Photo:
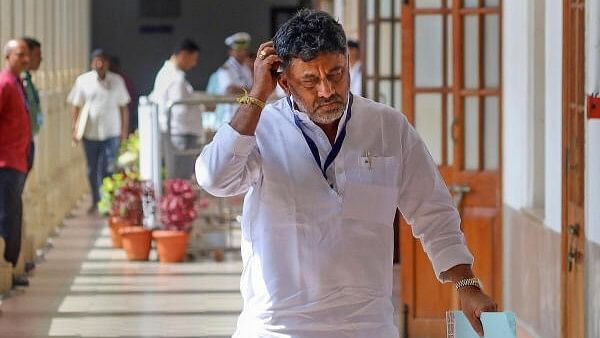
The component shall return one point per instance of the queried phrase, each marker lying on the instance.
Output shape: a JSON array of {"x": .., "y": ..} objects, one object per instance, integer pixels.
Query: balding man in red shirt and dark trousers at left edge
[{"x": 15, "y": 142}]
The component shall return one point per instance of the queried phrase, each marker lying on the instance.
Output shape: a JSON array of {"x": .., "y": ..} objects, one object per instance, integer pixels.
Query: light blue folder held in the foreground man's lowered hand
[{"x": 495, "y": 325}]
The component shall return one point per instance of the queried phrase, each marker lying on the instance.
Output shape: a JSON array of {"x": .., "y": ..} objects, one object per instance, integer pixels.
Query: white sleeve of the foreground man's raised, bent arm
[{"x": 230, "y": 164}]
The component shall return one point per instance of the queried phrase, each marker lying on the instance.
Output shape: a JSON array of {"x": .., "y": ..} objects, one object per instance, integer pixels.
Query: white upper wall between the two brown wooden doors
[{"x": 519, "y": 91}]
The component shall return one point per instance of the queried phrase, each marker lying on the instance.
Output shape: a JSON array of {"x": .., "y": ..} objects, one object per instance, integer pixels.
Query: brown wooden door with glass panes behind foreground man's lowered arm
[{"x": 451, "y": 93}]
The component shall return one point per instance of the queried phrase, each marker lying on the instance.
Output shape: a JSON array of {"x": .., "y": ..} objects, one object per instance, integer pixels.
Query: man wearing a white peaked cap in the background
[{"x": 233, "y": 76}]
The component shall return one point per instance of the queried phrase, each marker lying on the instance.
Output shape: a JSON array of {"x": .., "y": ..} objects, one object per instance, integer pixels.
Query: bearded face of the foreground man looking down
[{"x": 320, "y": 86}]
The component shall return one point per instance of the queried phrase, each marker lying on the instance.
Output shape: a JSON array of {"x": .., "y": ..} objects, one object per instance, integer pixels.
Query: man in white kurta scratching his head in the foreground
[{"x": 324, "y": 171}]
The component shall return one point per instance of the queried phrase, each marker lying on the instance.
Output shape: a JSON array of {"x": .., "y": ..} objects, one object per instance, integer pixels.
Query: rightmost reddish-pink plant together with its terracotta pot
[{"x": 177, "y": 208}]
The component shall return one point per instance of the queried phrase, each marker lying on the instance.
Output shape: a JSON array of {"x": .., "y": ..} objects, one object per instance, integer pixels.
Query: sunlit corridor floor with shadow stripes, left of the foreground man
[{"x": 85, "y": 288}]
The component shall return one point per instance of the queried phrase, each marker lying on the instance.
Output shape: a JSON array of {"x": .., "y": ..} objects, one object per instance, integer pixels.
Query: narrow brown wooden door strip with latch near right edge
[{"x": 573, "y": 237}]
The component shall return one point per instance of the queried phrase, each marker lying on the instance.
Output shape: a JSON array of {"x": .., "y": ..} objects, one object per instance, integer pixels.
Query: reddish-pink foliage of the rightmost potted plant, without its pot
[{"x": 178, "y": 205}]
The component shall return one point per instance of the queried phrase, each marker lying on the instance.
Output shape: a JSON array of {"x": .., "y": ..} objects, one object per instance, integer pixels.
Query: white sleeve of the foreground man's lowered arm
[{"x": 428, "y": 207}]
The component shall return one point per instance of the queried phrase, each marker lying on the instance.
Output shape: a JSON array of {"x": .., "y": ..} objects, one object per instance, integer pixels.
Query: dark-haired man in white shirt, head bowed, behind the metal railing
[{"x": 185, "y": 125}]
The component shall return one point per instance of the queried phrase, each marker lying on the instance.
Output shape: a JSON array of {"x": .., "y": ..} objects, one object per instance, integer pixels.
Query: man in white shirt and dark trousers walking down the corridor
[{"x": 107, "y": 122}]
